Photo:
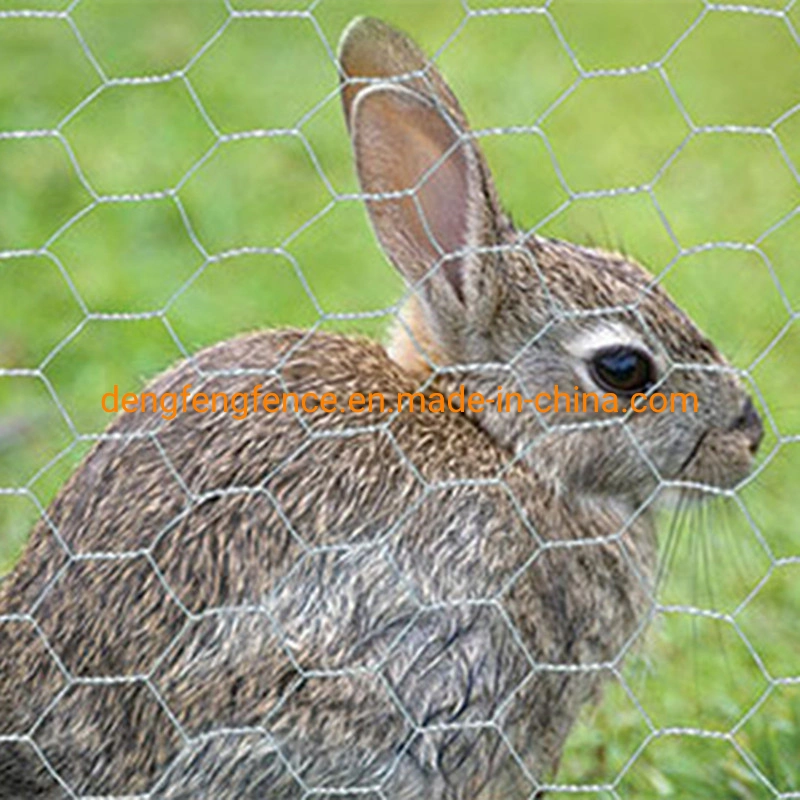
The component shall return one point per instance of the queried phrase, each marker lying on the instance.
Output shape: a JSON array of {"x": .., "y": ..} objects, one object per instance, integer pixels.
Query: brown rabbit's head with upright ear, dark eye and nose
[{"x": 490, "y": 305}]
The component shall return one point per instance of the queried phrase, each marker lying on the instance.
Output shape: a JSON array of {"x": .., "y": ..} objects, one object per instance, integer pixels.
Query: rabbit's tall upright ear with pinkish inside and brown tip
[{"x": 432, "y": 201}]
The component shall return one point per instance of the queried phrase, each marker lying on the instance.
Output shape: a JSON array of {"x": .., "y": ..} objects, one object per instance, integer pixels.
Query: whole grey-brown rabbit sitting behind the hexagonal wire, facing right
[{"x": 376, "y": 604}]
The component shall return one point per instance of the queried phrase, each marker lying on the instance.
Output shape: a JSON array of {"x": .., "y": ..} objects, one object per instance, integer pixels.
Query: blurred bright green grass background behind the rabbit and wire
[{"x": 610, "y": 132}]
